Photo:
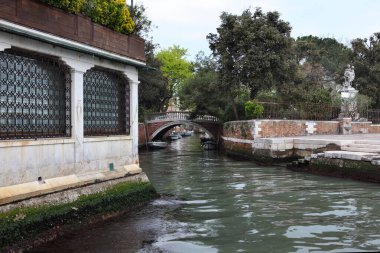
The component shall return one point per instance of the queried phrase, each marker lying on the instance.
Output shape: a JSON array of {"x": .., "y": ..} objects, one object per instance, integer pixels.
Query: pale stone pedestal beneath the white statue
[{"x": 349, "y": 108}]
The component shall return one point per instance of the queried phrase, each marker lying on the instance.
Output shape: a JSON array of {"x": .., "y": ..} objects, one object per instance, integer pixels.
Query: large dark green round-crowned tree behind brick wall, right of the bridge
[{"x": 253, "y": 50}]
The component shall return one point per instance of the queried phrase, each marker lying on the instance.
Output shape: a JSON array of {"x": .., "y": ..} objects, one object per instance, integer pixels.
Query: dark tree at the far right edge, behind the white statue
[{"x": 366, "y": 60}]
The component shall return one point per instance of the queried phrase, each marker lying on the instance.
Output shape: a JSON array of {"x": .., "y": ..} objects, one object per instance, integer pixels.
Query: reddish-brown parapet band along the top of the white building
[{"x": 33, "y": 14}]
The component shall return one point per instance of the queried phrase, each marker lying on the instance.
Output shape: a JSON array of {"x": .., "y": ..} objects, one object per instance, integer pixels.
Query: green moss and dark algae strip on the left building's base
[{"x": 25, "y": 223}]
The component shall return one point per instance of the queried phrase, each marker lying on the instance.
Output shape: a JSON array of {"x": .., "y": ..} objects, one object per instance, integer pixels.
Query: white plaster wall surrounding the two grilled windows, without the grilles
[{"x": 25, "y": 161}]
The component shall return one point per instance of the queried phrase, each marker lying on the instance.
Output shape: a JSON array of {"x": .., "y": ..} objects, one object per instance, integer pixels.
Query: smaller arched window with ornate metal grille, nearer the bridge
[{"x": 106, "y": 103}]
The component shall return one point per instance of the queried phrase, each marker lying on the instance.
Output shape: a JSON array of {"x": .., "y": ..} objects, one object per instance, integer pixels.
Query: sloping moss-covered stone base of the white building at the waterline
[{"x": 32, "y": 222}]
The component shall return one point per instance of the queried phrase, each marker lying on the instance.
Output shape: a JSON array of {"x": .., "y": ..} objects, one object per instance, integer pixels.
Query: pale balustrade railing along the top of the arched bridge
[{"x": 179, "y": 115}]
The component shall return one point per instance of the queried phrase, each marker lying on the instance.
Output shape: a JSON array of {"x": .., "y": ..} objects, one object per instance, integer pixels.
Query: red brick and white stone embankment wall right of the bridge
[{"x": 259, "y": 139}]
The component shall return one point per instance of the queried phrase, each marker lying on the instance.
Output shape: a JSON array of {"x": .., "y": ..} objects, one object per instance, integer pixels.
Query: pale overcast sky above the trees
[{"x": 187, "y": 22}]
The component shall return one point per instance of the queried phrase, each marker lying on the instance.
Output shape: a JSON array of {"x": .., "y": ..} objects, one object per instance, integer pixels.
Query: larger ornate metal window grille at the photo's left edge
[{"x": 34, "y": 96}]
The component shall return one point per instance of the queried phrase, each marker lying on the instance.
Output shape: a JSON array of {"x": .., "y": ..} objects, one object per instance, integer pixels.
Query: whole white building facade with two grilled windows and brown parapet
[{"x": 68, "y": 108}]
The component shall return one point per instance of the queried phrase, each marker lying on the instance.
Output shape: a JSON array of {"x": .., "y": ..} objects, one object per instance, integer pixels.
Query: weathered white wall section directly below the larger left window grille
[{"x": 26, "y": 160}]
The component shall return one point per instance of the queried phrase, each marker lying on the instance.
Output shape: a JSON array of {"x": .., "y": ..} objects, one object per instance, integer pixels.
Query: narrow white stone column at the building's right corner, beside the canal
[{"x": 134, "y": 118}]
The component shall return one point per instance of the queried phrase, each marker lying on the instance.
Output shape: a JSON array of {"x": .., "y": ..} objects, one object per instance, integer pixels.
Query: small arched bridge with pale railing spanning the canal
[{"x": 157, "y": 124}]
